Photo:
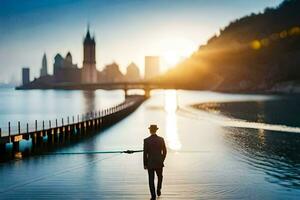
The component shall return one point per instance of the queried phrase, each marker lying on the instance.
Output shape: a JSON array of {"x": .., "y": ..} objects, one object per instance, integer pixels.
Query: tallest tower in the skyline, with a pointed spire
[{"x": 89, "y": 71}]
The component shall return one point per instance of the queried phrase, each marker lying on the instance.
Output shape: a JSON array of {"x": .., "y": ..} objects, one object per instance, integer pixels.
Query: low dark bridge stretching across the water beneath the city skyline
[{"x": 147, "y": 86}]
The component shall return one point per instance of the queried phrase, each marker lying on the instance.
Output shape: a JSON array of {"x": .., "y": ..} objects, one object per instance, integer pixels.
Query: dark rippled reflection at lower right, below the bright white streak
[{"x": 274, "y": 153}]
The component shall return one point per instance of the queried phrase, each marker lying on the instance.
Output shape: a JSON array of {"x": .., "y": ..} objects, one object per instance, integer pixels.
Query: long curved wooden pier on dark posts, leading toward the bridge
[{"x": 71, "y": 129}]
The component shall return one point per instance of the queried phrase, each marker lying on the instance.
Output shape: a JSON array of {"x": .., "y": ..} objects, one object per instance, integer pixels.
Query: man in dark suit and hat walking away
[{"x": 154, "y": 155}]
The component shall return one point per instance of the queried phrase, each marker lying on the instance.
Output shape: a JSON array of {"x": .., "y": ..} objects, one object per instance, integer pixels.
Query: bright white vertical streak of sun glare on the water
[{"x": 170, "y": 106}]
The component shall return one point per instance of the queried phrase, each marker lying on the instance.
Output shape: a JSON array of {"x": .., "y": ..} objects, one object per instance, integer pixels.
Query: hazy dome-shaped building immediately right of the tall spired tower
[{"x": 112, "y": 73}]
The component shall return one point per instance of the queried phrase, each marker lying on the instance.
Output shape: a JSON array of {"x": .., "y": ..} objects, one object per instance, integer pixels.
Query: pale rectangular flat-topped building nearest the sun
[{"x": 151, "y": 66}]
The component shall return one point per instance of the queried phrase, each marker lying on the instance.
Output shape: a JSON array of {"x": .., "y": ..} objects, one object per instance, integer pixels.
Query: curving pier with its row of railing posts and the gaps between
[{"x": 66, "y": 128}]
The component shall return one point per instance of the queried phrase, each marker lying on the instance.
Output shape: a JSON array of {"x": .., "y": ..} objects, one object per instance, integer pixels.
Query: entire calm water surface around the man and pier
[{"x": 224, "y": 154}]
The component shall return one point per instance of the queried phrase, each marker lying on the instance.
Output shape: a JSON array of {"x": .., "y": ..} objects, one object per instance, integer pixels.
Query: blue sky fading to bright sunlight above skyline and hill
[{"x": 125, "y": 31}]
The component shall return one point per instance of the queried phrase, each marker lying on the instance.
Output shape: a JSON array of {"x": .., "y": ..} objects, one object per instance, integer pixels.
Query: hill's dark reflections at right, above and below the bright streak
[{"x": 275, "y": 153}]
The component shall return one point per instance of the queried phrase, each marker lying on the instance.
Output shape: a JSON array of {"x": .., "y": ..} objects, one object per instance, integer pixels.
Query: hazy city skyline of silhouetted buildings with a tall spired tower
[{"x": 67, "y": 72}]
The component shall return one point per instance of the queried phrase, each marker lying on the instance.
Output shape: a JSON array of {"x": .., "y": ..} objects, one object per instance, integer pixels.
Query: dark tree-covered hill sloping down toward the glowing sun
[{"x": 253, "y": 53}]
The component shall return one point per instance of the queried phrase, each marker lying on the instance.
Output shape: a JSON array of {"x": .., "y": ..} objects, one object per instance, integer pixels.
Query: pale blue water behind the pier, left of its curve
[{"x": 31, "y": 105}]
